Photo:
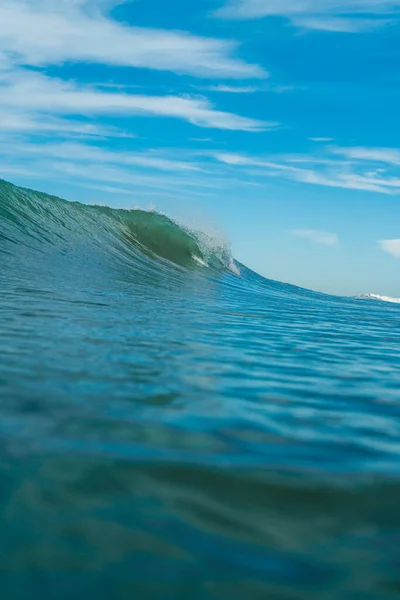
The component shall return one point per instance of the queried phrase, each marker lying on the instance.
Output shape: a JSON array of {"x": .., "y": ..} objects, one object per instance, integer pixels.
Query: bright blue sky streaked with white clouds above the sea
[{"x": 273, "y": 120}]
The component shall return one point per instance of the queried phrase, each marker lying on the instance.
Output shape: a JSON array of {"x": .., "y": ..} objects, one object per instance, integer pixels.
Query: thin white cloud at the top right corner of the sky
[{"x": 332, "y": 15}]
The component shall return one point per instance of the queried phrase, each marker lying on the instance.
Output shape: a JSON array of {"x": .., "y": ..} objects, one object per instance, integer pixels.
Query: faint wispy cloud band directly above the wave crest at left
[{"x": 169, "y": 173}]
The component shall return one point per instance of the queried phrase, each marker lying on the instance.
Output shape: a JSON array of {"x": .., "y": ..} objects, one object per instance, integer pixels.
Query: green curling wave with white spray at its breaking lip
[{"x": 42, "y": 219}]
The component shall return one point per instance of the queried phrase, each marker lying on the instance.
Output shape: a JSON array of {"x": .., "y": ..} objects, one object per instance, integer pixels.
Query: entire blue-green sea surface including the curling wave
[{"x": 173, "y": 425}]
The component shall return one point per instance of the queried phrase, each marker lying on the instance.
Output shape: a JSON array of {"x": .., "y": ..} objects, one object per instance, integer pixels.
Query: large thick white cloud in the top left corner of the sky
[{"x": 46, "y": 32}]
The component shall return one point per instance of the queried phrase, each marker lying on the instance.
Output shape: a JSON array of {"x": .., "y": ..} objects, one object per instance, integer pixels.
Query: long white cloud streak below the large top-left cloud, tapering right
[{"x": 31, "y": 93}]
